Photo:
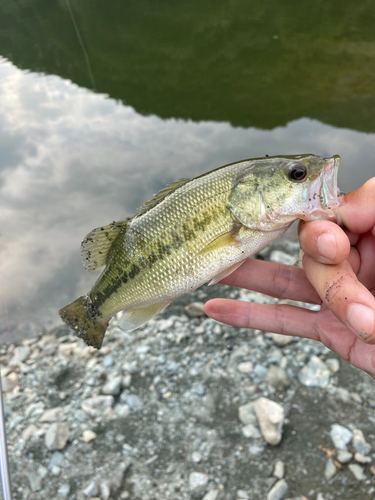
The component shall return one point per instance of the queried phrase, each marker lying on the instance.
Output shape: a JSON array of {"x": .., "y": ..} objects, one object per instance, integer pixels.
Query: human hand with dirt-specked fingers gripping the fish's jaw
[{"x": 338, "y": 273}]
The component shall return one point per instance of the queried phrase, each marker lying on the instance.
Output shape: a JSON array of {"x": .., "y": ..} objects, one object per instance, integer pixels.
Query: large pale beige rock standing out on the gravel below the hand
[{"x": 270, "y": 418}]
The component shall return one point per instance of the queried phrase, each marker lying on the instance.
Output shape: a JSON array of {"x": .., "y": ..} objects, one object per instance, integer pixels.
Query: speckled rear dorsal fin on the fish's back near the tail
[{"x": 96, "y": 245}]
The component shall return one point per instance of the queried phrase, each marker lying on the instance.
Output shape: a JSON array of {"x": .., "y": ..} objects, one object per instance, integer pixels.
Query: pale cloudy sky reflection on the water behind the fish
[{"x": 72, "y": 160}]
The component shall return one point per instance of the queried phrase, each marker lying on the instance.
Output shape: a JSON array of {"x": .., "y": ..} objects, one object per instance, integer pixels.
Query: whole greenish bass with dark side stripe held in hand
[{"x": 196, "y": 231}]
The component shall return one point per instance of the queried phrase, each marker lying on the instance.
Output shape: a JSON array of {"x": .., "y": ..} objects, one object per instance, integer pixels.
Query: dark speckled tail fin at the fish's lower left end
[{"x": 87, "y": 326}]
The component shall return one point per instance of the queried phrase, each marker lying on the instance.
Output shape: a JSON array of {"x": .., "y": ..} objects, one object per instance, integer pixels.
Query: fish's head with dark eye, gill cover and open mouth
[{"x": 278, "y": 190}]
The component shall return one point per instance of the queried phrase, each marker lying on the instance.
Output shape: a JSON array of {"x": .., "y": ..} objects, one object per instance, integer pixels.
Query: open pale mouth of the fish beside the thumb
[{"x": 323, "y": 193}]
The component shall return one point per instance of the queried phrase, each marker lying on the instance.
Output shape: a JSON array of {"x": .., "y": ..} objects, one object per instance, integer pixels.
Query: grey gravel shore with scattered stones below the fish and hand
[{"x": 187, "y": 409}]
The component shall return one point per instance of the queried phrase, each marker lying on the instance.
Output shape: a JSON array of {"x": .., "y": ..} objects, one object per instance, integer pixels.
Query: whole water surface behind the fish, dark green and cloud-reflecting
[{"x": 102, "y": 105}]
